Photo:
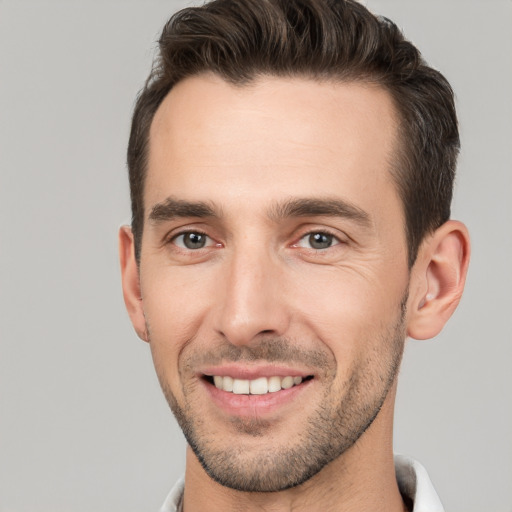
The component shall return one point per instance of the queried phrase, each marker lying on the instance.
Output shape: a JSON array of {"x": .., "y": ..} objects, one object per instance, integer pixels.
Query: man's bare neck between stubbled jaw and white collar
[{"x": 362, "y": 478}]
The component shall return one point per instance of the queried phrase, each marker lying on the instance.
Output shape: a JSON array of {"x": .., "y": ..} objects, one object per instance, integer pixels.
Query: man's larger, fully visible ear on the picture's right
[{"x": 438, "y": 279}]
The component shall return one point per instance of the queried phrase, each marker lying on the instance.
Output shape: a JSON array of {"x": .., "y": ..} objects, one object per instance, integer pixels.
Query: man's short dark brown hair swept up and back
[{"x": 240, "y": 40}]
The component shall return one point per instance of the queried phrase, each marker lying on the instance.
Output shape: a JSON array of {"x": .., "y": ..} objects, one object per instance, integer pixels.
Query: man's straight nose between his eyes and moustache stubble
[{"x": 253, "y": 299}]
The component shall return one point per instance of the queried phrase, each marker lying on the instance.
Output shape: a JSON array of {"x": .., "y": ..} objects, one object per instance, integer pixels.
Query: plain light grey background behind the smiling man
[{"x": 83, "y": 425}]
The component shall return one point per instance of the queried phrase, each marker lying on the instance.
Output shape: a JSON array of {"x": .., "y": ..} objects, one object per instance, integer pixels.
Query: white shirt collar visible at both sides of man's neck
[{"x": 413, "y": 482}]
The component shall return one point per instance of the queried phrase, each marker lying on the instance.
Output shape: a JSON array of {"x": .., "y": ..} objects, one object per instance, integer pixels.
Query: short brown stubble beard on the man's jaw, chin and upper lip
[{"x": 330, "y": 431}]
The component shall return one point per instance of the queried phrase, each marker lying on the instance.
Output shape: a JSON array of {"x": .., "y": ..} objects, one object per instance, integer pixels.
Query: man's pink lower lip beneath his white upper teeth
[{"x": 254, "y": 405}]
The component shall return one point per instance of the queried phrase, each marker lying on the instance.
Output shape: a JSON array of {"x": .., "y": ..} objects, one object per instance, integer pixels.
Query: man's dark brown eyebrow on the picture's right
[{"x": 312, "y": 207}]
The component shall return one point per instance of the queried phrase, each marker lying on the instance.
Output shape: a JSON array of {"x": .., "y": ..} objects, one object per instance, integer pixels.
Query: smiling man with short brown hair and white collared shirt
[{"x": 291, "y": 167}]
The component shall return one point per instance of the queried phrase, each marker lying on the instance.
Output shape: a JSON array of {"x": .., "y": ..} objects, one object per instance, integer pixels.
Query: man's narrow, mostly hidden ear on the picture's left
[{"x": 131, "y": 282}]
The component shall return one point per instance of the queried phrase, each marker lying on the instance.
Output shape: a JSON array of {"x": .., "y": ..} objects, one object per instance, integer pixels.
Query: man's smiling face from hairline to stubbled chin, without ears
[{"x": 273, "y": 271}]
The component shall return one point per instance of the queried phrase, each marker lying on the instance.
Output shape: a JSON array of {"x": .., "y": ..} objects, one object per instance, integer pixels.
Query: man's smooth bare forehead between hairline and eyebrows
[{"x": 271, "y": 138}]
